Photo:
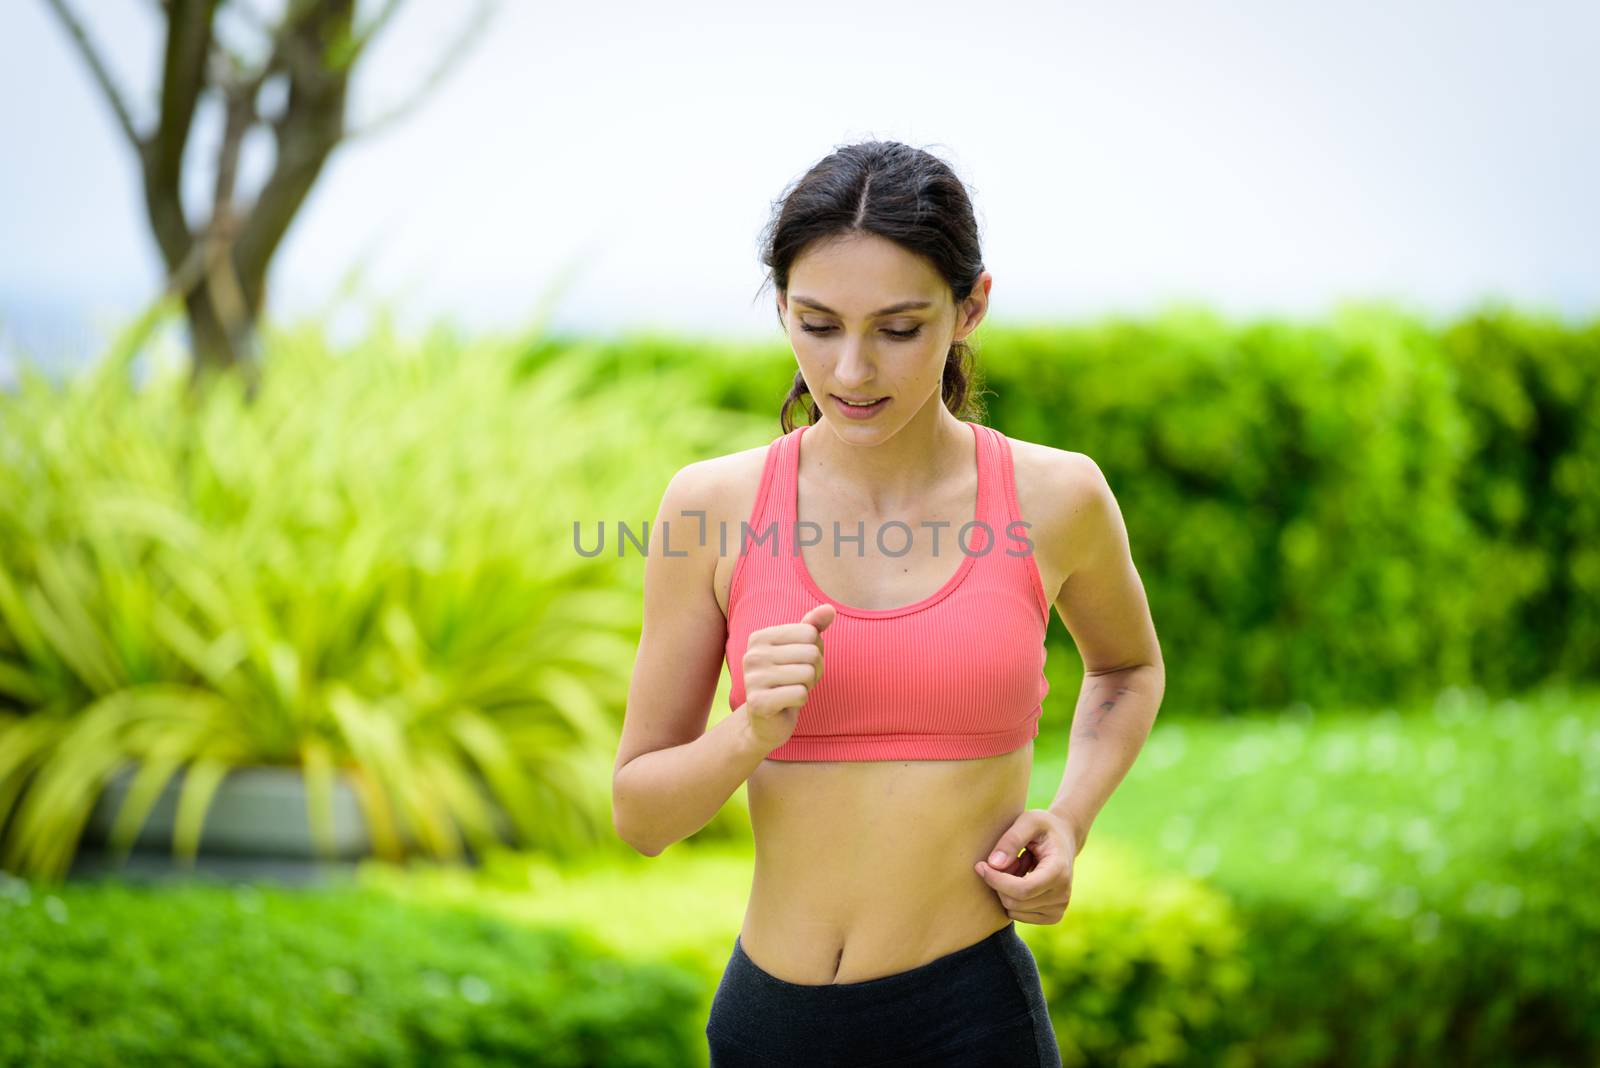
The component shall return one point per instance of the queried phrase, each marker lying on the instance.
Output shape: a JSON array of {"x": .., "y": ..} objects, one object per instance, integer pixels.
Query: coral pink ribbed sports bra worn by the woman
[{"x": 958, "y": 675}]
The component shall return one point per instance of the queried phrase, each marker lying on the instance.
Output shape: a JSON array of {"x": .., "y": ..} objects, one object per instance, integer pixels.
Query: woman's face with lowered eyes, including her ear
[{"x": 871, "y": 322}]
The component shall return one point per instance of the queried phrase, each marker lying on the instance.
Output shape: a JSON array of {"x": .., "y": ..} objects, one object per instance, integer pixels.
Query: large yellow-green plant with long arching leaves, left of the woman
[{"x": 367, "y": 567}]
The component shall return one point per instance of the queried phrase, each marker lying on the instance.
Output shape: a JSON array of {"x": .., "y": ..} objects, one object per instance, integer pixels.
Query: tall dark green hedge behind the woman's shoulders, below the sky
[{"x": 1364, "y": 508}]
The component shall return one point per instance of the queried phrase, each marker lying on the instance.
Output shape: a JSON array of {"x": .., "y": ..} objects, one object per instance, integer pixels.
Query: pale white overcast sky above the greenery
[{"x": 1260, "y": 156}]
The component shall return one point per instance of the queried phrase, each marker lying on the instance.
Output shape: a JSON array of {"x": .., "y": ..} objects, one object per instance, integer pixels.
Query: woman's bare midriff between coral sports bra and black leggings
[{"x": 865, "y": 869}]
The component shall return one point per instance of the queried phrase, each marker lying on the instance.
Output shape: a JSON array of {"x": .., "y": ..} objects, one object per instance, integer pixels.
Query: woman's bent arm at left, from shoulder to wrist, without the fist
[{"x": 671, "y": 773}]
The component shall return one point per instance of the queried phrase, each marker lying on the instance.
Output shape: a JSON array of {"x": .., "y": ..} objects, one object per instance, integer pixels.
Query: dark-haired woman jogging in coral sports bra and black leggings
[{"x": 876, "y": 583}]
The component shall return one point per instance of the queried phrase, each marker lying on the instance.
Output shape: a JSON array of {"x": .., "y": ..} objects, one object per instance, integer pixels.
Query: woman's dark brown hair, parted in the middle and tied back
[{"x": 898, "y": 193}]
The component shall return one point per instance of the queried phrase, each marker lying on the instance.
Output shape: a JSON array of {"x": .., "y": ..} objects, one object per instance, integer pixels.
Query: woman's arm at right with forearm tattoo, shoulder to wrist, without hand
[{"x": 1124, "y": 679}]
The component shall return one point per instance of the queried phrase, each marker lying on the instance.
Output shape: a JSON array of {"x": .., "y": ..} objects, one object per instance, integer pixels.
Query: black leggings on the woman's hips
[{"x": 982, "y": 1005}]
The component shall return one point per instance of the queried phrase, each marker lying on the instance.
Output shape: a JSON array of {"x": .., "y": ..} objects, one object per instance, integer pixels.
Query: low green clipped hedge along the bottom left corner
[{"x": 110, "y": 974}]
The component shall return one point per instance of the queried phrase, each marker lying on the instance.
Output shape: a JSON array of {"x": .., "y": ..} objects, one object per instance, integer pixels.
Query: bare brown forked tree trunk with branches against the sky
[{"x": 220, "y": 268}]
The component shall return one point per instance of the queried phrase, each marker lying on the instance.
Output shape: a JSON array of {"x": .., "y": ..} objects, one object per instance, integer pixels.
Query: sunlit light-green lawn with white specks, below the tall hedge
[{"x": 1367, "y": 815}]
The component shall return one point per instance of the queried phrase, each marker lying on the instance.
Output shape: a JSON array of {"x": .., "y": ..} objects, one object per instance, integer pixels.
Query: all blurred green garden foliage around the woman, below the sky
[{"x": 1364, "y": 831}]
